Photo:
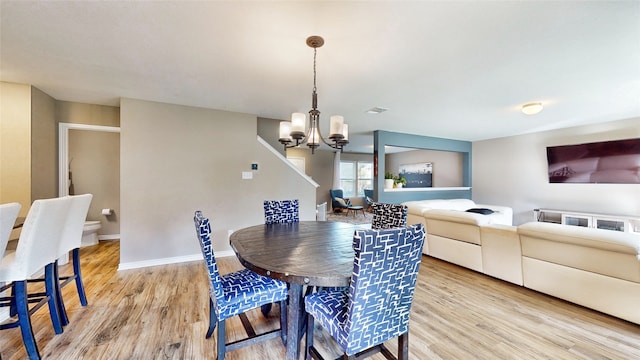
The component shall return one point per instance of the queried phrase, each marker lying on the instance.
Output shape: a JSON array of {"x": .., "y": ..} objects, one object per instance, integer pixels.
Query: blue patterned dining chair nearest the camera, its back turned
[{"x": 376, "y": 306}]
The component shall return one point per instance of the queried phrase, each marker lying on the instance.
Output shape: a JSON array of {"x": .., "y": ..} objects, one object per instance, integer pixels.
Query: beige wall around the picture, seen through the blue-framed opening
[{"x": 447, "y": 165}]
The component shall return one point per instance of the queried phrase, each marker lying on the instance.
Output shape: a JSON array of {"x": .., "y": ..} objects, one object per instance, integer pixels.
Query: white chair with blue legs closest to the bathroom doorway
[{"x": 71, "y": 240}]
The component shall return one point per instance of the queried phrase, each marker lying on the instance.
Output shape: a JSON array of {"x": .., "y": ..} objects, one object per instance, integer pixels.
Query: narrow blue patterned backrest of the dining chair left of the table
[{"x": 203, "y": 230}]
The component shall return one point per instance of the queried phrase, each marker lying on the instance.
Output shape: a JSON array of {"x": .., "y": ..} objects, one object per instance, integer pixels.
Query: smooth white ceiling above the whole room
[{"x": 452, "y": 69}]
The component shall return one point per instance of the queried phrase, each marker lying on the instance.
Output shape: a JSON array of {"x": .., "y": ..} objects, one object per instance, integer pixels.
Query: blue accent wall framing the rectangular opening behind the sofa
[{"x": 386, "y": 138}]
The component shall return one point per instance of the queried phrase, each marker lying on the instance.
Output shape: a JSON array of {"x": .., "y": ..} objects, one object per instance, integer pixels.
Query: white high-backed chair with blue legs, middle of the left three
[{"x": 37, "y": 249}]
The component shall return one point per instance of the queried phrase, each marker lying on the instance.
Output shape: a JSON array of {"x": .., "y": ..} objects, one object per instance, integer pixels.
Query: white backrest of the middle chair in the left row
[{"x": 39, "y": 238}]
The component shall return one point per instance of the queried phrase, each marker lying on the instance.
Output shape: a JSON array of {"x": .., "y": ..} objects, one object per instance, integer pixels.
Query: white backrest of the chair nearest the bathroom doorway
[{"x": 73, "y": 227}]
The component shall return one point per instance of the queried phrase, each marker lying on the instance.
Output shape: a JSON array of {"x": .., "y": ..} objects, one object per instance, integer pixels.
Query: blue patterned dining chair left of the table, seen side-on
[{"x": 236, "y": 293}]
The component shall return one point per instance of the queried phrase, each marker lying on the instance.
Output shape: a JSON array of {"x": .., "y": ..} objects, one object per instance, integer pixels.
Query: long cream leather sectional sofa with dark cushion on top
[{"x": 595, "y": 268}]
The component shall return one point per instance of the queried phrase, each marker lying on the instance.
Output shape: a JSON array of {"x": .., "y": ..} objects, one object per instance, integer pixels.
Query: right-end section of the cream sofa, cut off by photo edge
[{"x": 598, "y": 269}]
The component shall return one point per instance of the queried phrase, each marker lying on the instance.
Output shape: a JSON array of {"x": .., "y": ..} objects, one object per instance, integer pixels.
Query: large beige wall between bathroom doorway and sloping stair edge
[{"x": 178, "y": 159}]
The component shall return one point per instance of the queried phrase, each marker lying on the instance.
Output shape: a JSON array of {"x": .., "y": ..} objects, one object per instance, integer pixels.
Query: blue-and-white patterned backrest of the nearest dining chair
[{"x": 384, "y": 276}]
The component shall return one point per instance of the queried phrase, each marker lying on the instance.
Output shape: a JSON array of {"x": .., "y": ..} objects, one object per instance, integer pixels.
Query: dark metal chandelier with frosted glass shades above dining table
[{"x": 295, "y": 129}]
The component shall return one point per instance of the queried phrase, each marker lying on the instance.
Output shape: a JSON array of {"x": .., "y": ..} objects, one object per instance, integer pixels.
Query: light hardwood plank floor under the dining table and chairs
[{"x": 162, "y": 313}]
